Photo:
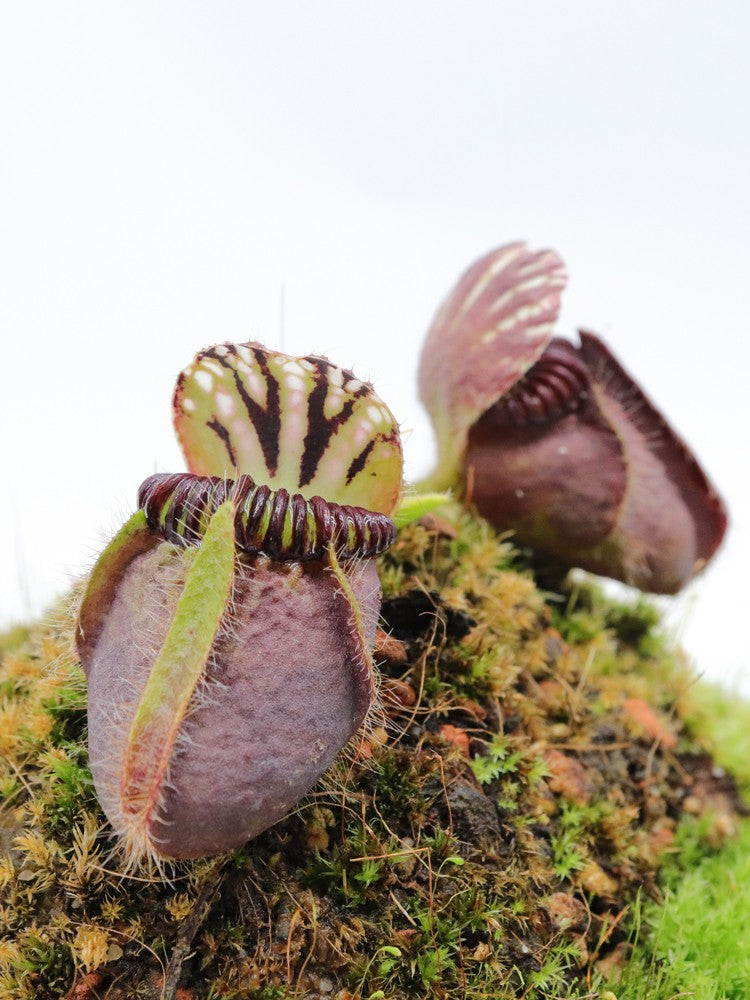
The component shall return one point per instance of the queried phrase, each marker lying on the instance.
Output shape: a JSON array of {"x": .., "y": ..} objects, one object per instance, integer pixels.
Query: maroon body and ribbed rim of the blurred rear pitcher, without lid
[{"x": 579, "y": 462}]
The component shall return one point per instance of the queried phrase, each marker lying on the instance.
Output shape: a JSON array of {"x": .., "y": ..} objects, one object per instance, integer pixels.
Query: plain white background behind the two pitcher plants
[{"x": 166, "y": 169}]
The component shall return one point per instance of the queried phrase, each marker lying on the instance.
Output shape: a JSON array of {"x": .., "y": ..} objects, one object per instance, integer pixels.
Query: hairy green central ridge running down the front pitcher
[{"x": 178, "y": 667}]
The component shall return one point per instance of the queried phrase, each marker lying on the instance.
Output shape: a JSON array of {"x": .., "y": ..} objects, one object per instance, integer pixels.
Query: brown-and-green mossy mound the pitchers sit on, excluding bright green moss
[{"x": 508, "y": 812}]
